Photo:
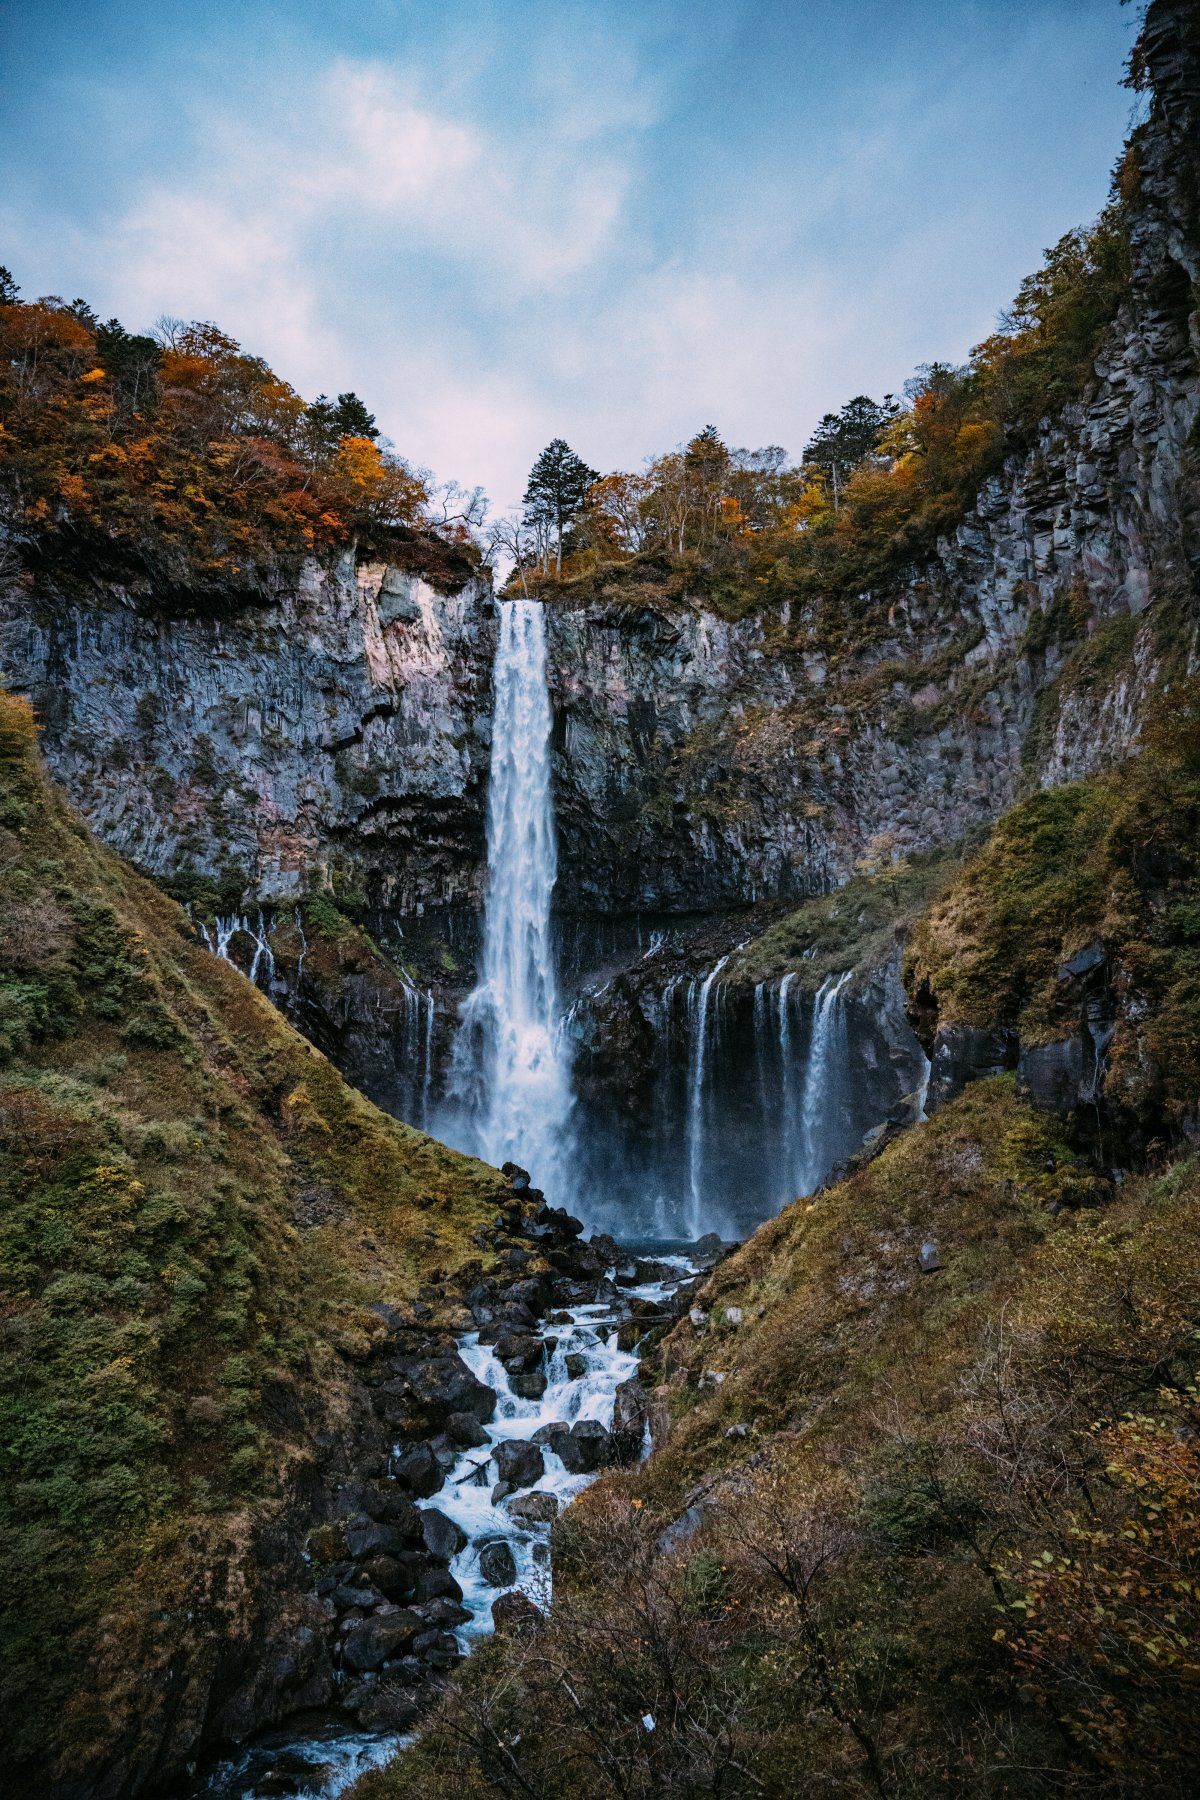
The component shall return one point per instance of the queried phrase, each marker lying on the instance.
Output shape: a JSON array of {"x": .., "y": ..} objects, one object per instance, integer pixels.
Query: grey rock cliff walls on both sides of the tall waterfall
[{"x": 708, "y": 769}]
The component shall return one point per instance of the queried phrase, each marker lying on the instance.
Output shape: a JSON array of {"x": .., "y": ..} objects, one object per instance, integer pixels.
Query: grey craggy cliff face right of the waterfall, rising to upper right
[{"x": 706, "y": 764}]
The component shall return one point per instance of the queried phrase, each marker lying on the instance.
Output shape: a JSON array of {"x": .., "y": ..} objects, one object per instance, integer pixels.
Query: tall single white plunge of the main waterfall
[{"x": 510, "y": 1074}]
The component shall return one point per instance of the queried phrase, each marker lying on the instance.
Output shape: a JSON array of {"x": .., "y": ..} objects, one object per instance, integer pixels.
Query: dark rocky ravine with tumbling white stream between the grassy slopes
[{"x": 363, "y": 1614}]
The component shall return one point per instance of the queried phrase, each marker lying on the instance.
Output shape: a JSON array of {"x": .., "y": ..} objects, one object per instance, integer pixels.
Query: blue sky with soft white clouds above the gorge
[{"x": 607, "y": 220}]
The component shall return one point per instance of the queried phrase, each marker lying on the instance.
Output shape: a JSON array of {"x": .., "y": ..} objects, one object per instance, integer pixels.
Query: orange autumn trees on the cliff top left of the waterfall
[{"x": 184, "y": 460}]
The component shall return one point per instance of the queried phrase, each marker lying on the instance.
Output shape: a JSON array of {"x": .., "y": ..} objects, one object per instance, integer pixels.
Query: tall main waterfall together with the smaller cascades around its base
[{"x": 749, "y": 1099}]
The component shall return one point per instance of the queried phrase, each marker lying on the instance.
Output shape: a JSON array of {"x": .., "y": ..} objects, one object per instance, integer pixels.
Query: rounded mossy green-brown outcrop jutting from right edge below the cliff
[{"x": 1113, "y": 861}]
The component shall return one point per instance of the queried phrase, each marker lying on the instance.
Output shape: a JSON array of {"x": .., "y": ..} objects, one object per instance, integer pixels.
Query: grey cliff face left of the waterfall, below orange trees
[{"x": 339, "y": 733}]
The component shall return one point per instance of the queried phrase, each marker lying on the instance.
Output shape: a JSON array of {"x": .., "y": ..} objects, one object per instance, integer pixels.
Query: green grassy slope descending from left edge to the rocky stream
[{"x": 170, "y": 1335}]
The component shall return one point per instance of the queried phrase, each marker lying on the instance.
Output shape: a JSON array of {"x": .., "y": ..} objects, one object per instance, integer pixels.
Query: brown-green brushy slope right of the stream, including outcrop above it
[{"x": 924, "y": 1504}]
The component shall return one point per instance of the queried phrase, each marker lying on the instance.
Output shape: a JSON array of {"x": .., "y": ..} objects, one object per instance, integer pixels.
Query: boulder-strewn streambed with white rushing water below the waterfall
[{"x": 494, "y": 1428}]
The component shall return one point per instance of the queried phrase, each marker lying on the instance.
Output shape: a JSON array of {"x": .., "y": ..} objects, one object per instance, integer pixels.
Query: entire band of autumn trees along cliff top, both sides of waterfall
[{"x": 188, "y": 456}]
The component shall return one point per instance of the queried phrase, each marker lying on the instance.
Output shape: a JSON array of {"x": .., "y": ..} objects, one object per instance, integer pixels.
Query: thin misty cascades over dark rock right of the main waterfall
[{"x": 753, "y": 1097}]
